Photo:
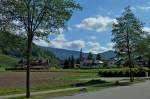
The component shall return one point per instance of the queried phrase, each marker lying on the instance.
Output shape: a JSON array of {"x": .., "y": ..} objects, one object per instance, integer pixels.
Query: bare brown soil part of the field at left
[{"x": 18, "y": 79}]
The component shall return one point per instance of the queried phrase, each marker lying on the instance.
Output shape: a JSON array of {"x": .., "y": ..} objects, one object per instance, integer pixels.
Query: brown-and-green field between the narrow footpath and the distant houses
[{"x": 14, "y": 82}]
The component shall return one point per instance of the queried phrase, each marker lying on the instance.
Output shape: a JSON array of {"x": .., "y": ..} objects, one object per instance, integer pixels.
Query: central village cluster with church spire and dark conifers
[{"x": 88, "y": 61}]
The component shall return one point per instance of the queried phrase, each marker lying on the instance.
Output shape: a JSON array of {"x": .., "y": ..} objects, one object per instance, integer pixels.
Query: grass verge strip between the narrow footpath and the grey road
[{"x": 95, "y": 87}]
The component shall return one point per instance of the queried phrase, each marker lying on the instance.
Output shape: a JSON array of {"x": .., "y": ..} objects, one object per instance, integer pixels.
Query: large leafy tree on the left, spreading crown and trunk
[{"x": 38, "y": 19}]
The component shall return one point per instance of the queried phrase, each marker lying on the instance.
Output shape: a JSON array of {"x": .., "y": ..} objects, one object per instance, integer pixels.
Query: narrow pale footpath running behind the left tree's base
[{"x": 39, "y": 93}]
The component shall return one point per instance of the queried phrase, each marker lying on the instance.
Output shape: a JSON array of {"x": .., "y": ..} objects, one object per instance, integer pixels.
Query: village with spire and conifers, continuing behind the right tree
[{"x": 92, "y": 61}]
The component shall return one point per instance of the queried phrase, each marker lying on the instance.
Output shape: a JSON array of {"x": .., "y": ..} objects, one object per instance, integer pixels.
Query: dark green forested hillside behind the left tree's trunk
[{"x": 13, "y": 46}]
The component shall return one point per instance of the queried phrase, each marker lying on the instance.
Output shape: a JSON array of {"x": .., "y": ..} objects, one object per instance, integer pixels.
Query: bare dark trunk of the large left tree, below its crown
[{"x": 29, "y": 48}]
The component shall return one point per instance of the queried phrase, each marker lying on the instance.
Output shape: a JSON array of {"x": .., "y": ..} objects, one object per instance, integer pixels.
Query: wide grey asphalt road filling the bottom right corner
[{"x": 137, "y": 91}]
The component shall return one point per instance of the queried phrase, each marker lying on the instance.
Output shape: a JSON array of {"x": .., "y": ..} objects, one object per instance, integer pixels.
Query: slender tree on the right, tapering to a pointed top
[{"x": 127, "y": 32}]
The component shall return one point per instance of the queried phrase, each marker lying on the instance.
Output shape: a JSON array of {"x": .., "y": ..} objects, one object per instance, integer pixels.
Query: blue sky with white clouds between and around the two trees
[{"x": 90, "y": 29}]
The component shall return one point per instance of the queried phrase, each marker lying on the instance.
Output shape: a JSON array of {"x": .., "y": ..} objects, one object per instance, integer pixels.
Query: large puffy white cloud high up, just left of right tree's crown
[{"x": 98, "y": 24}]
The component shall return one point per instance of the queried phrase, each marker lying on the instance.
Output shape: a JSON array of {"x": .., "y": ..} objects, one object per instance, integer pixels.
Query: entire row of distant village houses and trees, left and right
[{"x": 83, "y": 61}]
